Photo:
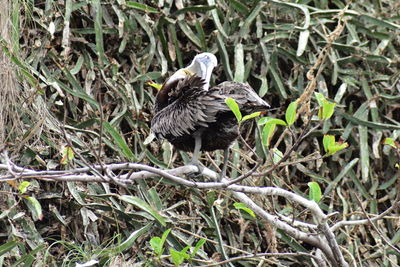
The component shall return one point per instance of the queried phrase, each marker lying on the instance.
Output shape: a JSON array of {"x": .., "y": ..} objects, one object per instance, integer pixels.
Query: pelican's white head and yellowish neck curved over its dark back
[{"x": 202, "y": 66}]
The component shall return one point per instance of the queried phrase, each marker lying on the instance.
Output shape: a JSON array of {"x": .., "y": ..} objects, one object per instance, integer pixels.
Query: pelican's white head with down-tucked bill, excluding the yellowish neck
[{"x": 203, "y": 65}]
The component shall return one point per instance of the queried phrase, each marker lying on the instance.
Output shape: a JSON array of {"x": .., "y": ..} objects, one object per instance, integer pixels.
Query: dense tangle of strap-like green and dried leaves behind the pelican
[{"x": 75, "y": 93}]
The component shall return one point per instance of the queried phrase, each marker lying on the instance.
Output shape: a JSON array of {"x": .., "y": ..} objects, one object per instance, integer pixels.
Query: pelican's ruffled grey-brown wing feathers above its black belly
[{"x": 197, "y": 108}]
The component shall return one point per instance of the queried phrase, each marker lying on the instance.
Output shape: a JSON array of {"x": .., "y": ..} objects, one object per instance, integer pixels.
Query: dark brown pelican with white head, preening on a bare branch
[{"x": 193, "y": 117}]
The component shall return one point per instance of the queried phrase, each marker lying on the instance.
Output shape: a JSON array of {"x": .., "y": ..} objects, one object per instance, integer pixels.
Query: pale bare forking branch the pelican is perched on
[{"x": 324, "y": 241}]
